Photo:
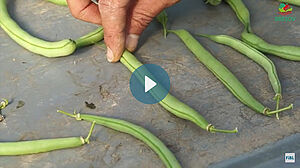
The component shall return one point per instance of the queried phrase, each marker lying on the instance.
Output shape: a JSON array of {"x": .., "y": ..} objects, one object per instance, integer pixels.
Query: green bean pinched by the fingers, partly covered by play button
[{"x": 172, "y": 104}]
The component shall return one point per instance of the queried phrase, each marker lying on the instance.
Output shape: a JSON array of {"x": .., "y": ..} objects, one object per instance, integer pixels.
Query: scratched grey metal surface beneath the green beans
[{"x": 45, "y": 85}]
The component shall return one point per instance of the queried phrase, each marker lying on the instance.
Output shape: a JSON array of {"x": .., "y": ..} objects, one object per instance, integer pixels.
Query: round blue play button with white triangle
[{"x": 149, "y": 84}]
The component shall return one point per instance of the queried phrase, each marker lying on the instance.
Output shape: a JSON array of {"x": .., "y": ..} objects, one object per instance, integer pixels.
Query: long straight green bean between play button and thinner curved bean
[{"x": 223, "y": 74}]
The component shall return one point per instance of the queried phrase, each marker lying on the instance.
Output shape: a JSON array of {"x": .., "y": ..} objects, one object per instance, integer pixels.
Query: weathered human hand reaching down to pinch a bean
[{"x": 123, "y": 20}]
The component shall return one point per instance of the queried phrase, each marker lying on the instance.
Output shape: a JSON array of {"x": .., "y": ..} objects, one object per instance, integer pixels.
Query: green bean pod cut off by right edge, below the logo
[{"x": 286, "y": 52}]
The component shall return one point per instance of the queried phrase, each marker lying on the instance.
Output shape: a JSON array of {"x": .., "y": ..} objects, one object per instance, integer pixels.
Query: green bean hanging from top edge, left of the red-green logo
[{"x": 241, "y": 12}]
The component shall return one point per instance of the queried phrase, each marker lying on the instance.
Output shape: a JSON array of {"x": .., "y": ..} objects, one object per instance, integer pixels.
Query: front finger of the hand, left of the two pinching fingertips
[{"x": 113, "y": 14}]
